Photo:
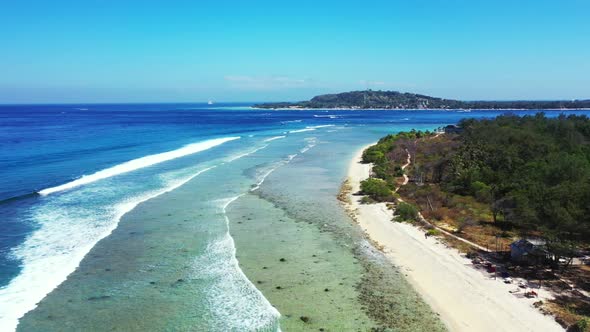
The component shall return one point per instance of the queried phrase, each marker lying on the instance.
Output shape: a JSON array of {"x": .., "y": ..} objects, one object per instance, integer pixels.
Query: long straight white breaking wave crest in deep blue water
[{"x": 138, "y": 163}]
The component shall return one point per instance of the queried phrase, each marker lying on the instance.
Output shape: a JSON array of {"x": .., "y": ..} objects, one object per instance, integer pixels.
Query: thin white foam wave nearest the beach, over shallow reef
[{"x": 234, "y": 301}]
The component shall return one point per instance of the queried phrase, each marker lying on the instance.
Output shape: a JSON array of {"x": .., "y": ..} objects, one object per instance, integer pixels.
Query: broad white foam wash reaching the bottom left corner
[{"x": 56, "y": 249}]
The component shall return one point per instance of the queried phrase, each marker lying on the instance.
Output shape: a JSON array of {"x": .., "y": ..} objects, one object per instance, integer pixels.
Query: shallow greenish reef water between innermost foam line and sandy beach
[{"x": 299, "y": 247}]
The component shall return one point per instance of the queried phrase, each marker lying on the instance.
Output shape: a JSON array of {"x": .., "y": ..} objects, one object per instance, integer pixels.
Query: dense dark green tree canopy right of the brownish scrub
[{"x": 534, "y": 172}]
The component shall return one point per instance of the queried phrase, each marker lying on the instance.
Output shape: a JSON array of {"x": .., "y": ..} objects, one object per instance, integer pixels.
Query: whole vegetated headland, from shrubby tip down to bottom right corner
[{"x": 496, "y": 180}]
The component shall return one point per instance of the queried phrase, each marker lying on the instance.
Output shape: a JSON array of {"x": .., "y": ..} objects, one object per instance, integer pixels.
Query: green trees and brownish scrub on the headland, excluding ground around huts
[{"x": 530, "y": 173}]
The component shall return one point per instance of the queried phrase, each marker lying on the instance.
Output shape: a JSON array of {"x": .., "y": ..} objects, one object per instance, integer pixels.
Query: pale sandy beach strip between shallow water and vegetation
[{"x": 465, "y": 299}]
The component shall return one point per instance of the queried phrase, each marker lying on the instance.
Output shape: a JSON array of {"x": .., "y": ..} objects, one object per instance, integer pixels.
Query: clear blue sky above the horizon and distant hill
[{"x": 230, "y": 51}]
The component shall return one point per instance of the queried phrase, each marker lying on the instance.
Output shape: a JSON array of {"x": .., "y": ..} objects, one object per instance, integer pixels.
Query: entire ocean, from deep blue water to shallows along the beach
[{"x": 189, "y": 217}]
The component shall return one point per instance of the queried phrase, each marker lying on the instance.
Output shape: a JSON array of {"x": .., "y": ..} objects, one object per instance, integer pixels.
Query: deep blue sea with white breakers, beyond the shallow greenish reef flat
[{"x": 69, "y": 172}]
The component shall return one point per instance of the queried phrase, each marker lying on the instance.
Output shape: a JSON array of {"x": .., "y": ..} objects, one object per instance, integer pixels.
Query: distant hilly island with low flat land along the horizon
[{"x": 370, "y": 99}]
